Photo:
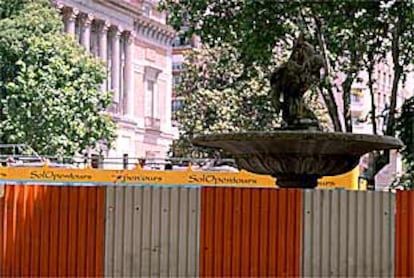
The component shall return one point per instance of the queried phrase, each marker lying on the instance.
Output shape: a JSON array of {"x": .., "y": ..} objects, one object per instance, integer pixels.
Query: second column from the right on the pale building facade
[{"x": 115, "y": 64}]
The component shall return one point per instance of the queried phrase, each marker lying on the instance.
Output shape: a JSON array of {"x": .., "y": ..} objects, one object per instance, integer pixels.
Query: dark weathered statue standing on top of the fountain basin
[{"x": 291, "y": 80}]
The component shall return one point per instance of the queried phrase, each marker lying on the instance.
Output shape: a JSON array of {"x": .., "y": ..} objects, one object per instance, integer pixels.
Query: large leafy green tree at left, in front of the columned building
[{"x": 49, "y": 85}]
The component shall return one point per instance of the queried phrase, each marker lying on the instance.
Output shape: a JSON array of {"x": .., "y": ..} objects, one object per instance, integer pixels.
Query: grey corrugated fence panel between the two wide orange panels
[{"x": 152, "y": 232}]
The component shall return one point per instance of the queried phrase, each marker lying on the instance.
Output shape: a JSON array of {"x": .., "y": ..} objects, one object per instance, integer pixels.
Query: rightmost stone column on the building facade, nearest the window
[{"x": 128, "y": 99}]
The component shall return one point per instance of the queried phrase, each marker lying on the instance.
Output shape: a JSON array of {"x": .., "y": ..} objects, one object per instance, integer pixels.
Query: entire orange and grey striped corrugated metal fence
[{"x": 181, "y": 231}]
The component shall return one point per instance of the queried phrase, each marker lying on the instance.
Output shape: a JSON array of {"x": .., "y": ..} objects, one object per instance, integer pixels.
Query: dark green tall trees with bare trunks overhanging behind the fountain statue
[{"x": 351, "y": 35}]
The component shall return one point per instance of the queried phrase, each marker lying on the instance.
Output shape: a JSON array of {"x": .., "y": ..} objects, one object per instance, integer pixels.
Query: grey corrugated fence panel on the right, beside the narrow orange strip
[{"x": 348, "y": 233}]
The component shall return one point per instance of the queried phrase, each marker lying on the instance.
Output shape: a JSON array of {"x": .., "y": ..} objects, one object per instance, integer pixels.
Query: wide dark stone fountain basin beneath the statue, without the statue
[{"x": 297, "y": 158}]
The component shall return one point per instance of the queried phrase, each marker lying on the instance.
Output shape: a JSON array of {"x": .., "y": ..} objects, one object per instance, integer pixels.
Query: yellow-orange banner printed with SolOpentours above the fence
[{"x": 138, "y": 176}]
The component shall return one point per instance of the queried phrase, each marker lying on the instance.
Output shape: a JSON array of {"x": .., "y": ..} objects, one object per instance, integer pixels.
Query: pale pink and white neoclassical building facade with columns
[{"x": 135, "y": 43}]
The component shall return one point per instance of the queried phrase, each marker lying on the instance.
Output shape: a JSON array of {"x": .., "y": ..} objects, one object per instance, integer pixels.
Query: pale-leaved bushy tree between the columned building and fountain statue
[{"x": 217, "y": 99}]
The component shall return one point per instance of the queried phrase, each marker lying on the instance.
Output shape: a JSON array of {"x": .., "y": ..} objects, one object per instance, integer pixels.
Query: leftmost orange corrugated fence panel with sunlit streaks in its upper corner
[{"x": 51, "y": 231}]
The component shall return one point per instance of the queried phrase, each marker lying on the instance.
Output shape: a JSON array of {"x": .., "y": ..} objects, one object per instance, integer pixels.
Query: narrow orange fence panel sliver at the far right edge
[{"x": 404, "y": 253}]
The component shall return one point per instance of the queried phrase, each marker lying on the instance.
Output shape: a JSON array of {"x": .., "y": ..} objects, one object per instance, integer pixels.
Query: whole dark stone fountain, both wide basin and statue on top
[{"x": 299, "y": 152}]
